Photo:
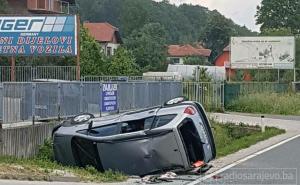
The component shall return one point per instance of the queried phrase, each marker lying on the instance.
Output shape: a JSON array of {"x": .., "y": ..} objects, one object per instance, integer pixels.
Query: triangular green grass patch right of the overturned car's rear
[{"x": 230, "y": 138}]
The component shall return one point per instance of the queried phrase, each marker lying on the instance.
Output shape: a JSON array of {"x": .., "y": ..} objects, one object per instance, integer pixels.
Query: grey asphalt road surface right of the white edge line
[{"x": 280, "y": 165}]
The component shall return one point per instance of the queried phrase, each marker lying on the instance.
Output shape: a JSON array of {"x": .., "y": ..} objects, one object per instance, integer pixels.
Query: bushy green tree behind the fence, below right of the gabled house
[{"x": 122, "y": 63}]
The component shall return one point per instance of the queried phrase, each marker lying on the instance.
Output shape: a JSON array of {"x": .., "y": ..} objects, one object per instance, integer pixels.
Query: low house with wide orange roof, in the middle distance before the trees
[{"x": 177, "y": 53}]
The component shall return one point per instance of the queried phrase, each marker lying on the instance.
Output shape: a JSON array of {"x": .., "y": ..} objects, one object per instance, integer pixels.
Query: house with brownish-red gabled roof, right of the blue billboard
[{"x": 107, "y": 35}]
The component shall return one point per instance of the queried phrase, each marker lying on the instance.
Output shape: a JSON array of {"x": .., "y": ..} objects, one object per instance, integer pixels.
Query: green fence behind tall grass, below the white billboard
[{"x": 233, "y": 90}]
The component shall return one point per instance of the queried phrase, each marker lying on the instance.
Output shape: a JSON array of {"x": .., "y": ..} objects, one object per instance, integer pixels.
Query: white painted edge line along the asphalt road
[{"x": 242, "y": 160}]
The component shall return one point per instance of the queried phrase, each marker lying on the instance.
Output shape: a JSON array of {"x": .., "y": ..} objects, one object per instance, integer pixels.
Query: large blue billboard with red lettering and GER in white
[{"x": 38, "y": 35}]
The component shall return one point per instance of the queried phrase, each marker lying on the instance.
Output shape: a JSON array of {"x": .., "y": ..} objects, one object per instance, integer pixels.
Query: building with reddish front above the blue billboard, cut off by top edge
[{"x": 29, "y": 7}]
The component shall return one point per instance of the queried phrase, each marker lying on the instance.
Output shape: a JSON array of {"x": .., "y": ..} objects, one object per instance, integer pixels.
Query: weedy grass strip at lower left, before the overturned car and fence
[{"x": 43, "y": 165}]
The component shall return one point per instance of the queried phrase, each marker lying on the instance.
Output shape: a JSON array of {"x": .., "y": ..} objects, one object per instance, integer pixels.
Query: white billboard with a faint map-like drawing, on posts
[{"x": 262, "y": 52}]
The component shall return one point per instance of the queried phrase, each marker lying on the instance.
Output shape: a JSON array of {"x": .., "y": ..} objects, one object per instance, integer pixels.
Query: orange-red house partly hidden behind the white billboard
[{"x": 224, "y": 60}]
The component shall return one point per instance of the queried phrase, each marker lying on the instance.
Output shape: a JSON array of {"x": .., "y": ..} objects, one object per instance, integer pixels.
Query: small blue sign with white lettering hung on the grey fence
[{"x": 109, "y": 97}]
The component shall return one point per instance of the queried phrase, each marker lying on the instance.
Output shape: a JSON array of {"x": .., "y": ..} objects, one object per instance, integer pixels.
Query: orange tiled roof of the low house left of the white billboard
[{"x": 187, "y": 50}]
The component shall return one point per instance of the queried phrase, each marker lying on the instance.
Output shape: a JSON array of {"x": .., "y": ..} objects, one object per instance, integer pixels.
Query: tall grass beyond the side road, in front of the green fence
[{"x": 267, "y": 103}]
